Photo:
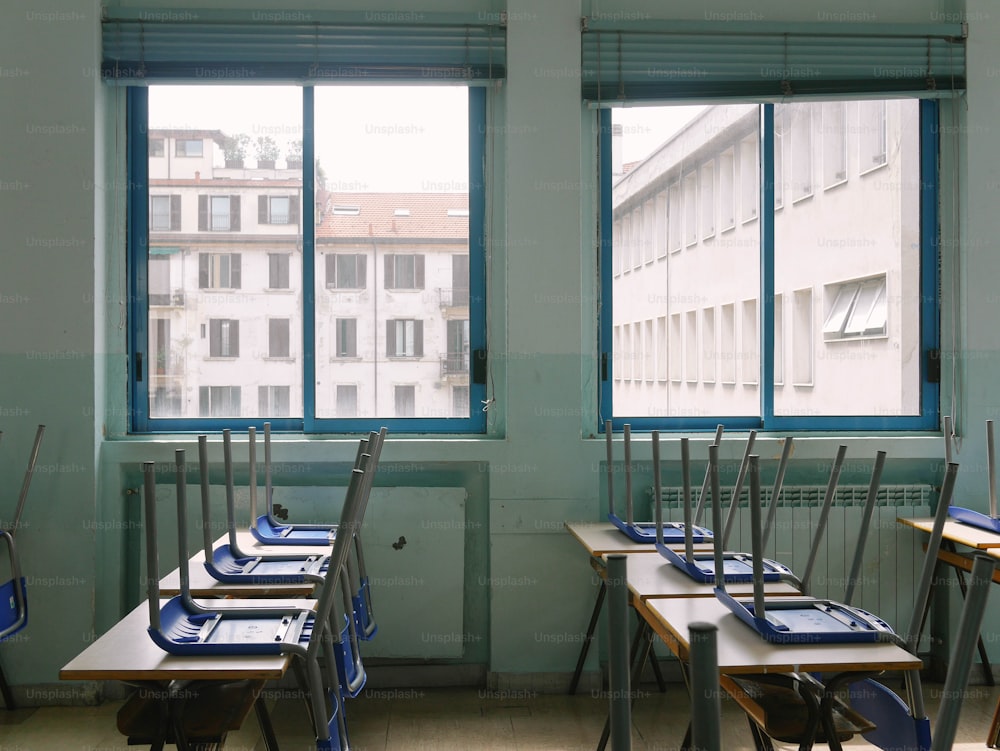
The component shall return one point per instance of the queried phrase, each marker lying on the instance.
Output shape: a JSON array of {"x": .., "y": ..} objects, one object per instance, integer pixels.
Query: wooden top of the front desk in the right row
[{"x": 742, "y": 650}]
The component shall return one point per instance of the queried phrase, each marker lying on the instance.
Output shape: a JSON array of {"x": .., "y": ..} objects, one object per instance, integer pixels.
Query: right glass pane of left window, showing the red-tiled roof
[{"x": 392, "y": 251}]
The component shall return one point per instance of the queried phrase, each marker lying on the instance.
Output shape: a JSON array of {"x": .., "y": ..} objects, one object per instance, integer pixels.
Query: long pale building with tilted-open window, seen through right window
[{"x": 686, "y": 265}]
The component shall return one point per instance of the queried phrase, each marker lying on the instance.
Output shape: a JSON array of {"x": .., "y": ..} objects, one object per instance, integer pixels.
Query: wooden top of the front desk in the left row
[{"x": 127, "y": 653}]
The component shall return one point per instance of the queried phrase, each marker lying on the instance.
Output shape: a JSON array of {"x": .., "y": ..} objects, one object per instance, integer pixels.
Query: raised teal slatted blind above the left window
[{"x": 156, "y": 46}]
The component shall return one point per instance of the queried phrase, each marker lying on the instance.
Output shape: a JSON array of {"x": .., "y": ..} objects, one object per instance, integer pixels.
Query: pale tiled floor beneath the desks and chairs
[{"x": 452, "y": 720}]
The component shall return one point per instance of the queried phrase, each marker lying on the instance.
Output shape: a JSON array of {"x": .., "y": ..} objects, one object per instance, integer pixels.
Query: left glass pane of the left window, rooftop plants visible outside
[{"x": 214, "y": 270}]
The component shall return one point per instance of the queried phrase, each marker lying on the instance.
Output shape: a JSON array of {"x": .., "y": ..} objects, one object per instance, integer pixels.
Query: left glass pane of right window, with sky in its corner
[{"x": 705, "y": 161}]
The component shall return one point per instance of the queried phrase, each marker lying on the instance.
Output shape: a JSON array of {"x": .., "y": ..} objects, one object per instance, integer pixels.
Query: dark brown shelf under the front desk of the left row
[{"x": 209, "y": 712}]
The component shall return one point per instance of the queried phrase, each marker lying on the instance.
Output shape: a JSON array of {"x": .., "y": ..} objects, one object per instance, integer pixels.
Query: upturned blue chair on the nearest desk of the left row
[{"x": 182, "y": 626}]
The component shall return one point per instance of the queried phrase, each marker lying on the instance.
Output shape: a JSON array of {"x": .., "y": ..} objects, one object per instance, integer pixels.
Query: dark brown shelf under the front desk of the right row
[{"x": 782, "y": 713}]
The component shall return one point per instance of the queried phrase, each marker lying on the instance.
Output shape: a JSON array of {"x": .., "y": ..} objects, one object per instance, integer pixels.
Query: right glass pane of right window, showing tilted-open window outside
[{"x": 847, "y": 247}]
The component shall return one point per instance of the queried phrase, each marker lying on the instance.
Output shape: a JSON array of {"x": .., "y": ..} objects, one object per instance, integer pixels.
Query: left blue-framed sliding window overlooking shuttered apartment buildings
[{"x": 164, "y": 395}]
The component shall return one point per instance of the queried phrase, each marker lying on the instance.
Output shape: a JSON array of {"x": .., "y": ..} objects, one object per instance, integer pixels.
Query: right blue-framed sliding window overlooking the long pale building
[{"x": 654, "y": 343}]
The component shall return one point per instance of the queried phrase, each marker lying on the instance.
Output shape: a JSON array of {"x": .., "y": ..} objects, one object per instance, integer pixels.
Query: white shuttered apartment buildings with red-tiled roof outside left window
[{"x": 226, "y": 300}]
